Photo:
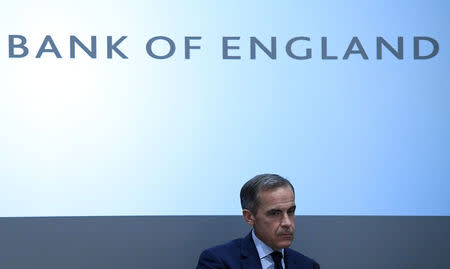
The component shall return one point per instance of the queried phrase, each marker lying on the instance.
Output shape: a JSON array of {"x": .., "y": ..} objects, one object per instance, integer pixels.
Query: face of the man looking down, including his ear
[{"x": 274, "y": 222}]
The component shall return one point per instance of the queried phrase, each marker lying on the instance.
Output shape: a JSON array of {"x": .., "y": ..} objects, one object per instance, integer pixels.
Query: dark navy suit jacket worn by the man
[{"x": 242, "y": 254}]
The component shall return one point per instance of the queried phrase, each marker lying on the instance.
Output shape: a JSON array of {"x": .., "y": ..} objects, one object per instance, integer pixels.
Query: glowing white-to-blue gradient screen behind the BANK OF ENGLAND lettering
[{"x": 179, "y": 137}]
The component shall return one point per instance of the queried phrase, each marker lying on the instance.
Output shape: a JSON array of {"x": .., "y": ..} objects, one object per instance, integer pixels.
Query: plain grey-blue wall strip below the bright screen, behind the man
[{"x": 175, "y": 241}]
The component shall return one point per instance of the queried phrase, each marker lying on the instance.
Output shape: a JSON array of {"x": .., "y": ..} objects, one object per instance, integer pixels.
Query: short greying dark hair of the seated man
[{"x": 250, "y": 190}]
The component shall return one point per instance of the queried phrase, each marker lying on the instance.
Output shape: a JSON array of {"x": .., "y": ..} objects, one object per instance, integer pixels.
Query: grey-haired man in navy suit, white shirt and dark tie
[{"x": 268, "y": 205}]
